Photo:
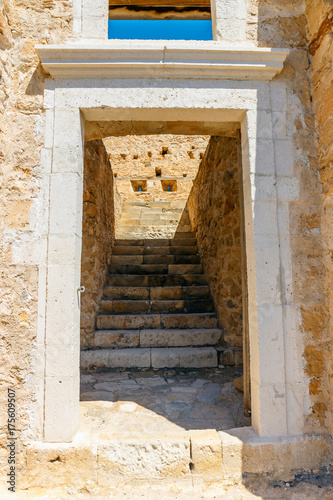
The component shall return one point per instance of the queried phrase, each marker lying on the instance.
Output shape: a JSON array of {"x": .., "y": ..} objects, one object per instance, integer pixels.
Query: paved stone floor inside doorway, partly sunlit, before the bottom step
[{"x": 205, "y": 399}]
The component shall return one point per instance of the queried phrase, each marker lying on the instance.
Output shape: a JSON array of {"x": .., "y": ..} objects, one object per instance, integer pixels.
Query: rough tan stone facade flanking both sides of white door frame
[{"x": 24, "y": 187}]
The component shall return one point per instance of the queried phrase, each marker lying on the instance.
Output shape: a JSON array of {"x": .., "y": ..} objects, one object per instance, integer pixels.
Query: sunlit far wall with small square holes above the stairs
[{"x": 176, "y": 157}]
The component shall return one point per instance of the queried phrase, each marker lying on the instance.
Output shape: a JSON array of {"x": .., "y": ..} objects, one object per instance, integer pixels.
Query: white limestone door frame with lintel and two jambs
[{"x": 70, "y": 100}]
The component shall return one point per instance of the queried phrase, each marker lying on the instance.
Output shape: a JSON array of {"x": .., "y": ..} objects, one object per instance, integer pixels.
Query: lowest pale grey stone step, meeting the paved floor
[{"x": 163, "y": 357}]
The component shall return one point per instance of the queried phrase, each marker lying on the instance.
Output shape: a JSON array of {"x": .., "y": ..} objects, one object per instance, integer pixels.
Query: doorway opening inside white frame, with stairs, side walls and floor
[{"x": 162, "y": 315}]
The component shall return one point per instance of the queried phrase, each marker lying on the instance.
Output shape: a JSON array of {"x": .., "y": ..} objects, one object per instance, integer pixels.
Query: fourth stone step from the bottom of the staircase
[{"x": 167, "y": 306}]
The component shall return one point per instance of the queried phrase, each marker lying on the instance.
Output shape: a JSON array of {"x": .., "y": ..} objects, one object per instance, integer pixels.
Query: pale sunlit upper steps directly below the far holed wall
[{"x": 157, "y": 219}]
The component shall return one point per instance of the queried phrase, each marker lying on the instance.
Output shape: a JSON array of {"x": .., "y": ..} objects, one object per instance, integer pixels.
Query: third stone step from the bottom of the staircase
[{"x": 156, "y": 321}]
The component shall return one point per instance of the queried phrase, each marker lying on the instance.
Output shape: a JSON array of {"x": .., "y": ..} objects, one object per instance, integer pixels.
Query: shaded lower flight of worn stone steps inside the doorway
[{"x": 156, "y": 310}]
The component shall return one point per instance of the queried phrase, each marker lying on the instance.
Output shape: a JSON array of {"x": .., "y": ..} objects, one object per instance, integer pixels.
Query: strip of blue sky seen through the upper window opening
[{"x": 160, "y": 30}]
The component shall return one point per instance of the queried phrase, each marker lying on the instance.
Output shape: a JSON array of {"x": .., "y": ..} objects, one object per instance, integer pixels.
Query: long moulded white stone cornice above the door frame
[{"x": 139, "y": 59}]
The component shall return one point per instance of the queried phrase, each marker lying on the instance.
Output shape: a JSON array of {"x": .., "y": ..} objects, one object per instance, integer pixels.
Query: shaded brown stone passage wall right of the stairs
[{"x": 214, "y": 211}]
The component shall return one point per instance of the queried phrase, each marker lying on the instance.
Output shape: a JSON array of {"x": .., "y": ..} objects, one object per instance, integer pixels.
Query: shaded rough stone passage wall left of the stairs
[{"x": 101, "y": 207}]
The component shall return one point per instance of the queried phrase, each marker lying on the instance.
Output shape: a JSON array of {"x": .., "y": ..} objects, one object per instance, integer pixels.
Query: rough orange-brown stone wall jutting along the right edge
[{"x": 317, "y": 321}]
